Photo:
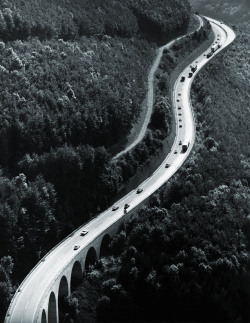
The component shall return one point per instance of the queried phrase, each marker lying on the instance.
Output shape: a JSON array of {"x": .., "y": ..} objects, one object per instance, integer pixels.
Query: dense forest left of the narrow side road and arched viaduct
[{"x": 73, "y": 82}]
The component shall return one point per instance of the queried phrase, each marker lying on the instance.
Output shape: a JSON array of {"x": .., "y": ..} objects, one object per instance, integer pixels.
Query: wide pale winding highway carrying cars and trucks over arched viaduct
[{"x": 28, "y": 303}]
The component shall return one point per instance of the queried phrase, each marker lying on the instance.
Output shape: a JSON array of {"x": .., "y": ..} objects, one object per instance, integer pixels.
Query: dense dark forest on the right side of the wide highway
[{"x": 185, "y": 257}]
